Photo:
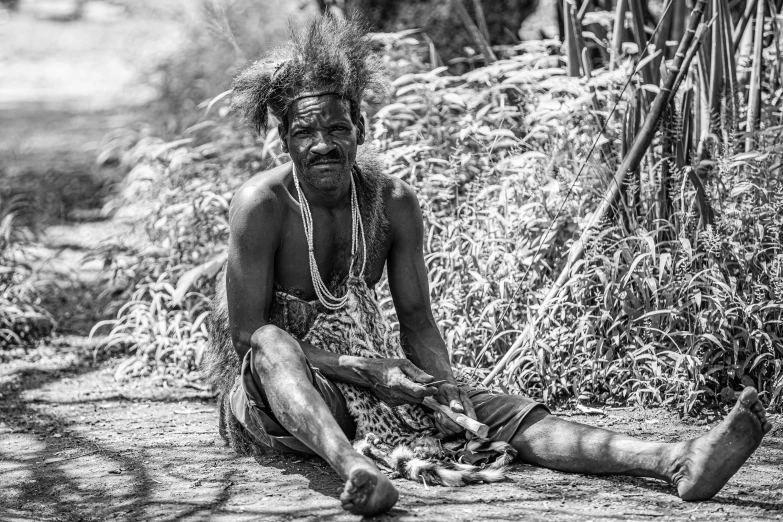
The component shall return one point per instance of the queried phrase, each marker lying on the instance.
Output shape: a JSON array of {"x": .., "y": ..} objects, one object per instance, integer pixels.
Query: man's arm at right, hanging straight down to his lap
[{"x": 410, "y": 291}]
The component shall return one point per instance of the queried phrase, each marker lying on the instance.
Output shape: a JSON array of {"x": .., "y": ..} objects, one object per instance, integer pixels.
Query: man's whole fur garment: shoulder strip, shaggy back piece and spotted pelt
[{"x": 401, "y": 439}]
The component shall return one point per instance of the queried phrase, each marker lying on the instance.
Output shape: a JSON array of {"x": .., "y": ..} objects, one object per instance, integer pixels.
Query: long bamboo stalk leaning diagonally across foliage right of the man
[{"x": 631, "y": 162}]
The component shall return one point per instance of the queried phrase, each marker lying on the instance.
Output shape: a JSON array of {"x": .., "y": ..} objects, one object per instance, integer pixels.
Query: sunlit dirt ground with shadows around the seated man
[{"x": 76, "y": 445}]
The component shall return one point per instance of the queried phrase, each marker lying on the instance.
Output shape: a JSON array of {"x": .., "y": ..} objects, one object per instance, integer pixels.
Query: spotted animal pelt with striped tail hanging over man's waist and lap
[{"x": 401, "y": 439}]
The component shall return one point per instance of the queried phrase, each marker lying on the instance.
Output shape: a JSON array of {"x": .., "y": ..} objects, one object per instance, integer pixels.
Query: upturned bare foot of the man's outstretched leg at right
[{"x": 704, "y": 465}]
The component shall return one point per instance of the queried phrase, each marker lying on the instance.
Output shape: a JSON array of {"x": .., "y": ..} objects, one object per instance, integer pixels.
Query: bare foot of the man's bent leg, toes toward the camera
[{"x": 367, "y": 490}]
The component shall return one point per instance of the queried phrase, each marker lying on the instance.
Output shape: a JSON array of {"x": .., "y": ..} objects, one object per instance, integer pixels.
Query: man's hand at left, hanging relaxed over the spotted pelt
[{"x": 396, "y": 381}]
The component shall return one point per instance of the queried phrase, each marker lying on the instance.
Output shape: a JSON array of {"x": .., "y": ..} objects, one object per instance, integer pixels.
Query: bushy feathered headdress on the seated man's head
[{"x": 327, "y": 56}]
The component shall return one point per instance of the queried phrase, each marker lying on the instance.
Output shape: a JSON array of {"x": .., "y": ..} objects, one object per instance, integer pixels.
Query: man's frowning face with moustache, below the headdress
[{"x": 322, "y": 140}]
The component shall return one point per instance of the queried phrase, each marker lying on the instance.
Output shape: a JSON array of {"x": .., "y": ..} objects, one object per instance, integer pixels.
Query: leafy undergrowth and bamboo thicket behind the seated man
[{"x": 673, "y": 294}]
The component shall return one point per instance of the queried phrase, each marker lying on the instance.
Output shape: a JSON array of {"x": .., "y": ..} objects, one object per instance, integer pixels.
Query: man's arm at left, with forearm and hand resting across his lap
[{"x": 255, "y": 222}]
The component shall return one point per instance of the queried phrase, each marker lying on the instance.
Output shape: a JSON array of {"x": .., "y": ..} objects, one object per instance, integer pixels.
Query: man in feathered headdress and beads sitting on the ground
[{"x": 328, "y": 217}]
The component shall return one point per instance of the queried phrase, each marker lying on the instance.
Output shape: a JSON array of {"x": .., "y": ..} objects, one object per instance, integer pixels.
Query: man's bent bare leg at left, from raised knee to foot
[{"x": 282, "y": 368}]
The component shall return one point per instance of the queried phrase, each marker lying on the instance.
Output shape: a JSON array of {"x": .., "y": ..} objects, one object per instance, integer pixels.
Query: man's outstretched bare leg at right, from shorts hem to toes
[{"x": 698, "y": 468}]
